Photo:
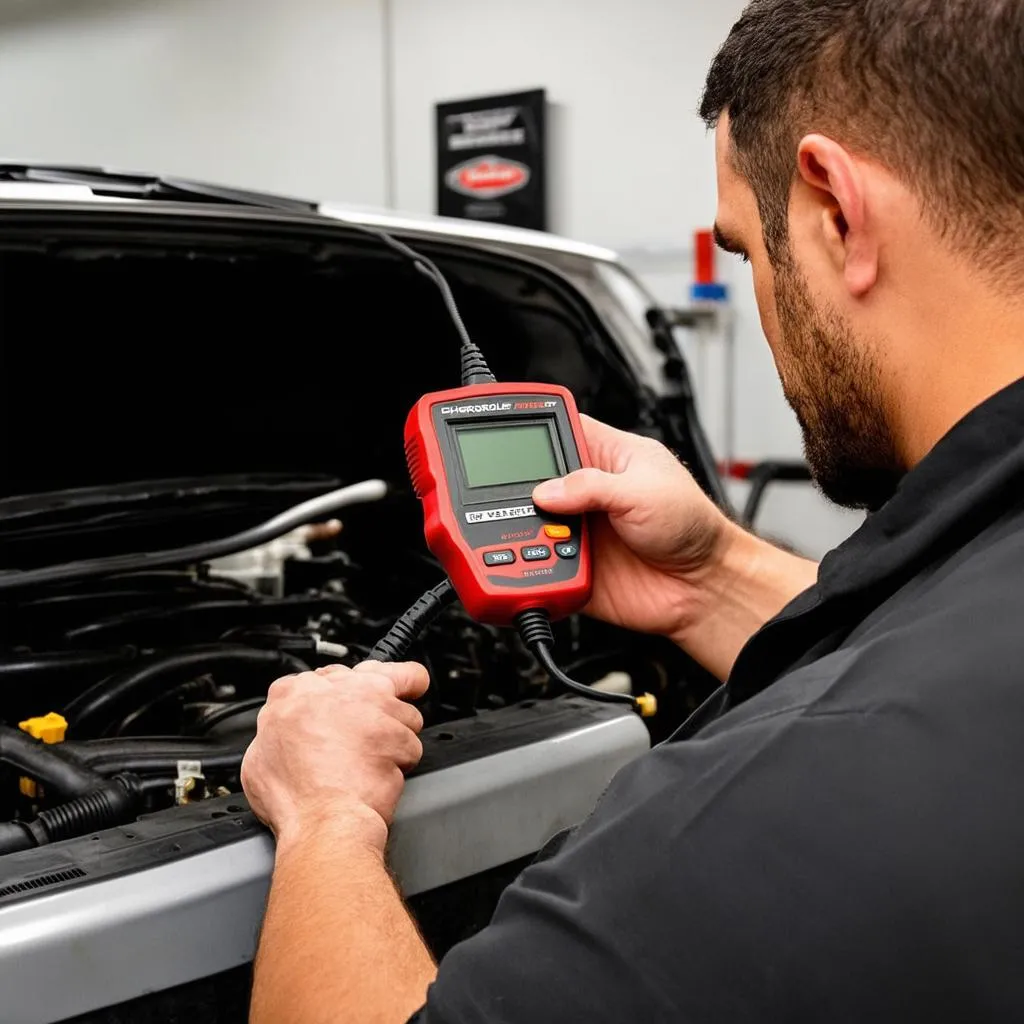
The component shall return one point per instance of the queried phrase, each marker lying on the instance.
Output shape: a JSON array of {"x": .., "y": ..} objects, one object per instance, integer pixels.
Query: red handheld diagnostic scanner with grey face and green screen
[{"x": 475, "y": 456}]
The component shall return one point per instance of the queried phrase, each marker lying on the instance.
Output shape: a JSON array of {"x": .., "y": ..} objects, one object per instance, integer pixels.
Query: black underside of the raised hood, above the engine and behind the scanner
[{"x": 167, "y": 377}]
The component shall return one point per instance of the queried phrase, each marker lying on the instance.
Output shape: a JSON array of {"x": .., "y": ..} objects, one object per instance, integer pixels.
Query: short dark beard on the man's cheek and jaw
[{"x": 833, "y": 383}]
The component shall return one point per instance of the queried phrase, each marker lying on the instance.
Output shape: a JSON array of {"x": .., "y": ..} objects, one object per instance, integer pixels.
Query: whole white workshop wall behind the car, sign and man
[{"x": 334, "y": 100}]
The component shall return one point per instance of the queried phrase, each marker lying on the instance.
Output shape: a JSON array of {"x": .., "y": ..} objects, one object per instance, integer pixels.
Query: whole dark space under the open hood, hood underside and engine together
[{"x": 159, "y": 676}]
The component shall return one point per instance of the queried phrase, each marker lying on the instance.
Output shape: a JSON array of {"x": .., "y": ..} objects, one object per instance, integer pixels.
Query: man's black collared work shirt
[{"x": 845, "y": 842}]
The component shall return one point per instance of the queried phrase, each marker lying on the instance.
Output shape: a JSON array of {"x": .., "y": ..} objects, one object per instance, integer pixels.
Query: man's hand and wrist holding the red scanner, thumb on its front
[{"x": 666, "y": 559}]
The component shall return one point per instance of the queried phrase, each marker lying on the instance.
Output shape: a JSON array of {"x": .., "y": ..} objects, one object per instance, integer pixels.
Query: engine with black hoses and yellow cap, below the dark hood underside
[{"x": 147, "y": 686}]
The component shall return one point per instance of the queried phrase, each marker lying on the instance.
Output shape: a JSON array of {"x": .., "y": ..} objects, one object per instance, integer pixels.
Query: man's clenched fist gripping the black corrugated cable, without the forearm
[{"x": 331, "y": 748}]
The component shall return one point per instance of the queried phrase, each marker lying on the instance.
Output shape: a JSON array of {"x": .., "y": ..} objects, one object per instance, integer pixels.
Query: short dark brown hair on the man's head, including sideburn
[{"x": 932, "y": 90}]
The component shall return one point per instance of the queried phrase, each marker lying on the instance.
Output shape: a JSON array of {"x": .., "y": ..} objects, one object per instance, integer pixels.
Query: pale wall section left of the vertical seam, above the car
[{"x": 242, "y": 92}]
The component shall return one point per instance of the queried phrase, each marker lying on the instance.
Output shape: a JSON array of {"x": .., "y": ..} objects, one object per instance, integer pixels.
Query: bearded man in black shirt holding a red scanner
[{"x": 840, "y": 839}]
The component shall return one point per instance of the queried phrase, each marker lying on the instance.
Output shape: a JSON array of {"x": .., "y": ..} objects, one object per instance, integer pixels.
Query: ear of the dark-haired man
[{"x": 839, "y": 191}]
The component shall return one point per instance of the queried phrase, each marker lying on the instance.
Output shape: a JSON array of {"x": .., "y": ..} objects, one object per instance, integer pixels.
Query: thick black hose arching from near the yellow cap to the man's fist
[{"x": 111, "y": 700}]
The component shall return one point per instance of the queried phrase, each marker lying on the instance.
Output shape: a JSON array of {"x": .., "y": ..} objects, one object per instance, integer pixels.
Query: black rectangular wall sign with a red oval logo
[{"x": 491, "y": 155}]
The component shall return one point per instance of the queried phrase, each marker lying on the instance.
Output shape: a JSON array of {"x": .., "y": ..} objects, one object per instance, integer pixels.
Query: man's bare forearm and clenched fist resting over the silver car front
[{"x": 326, "y": 773}]
